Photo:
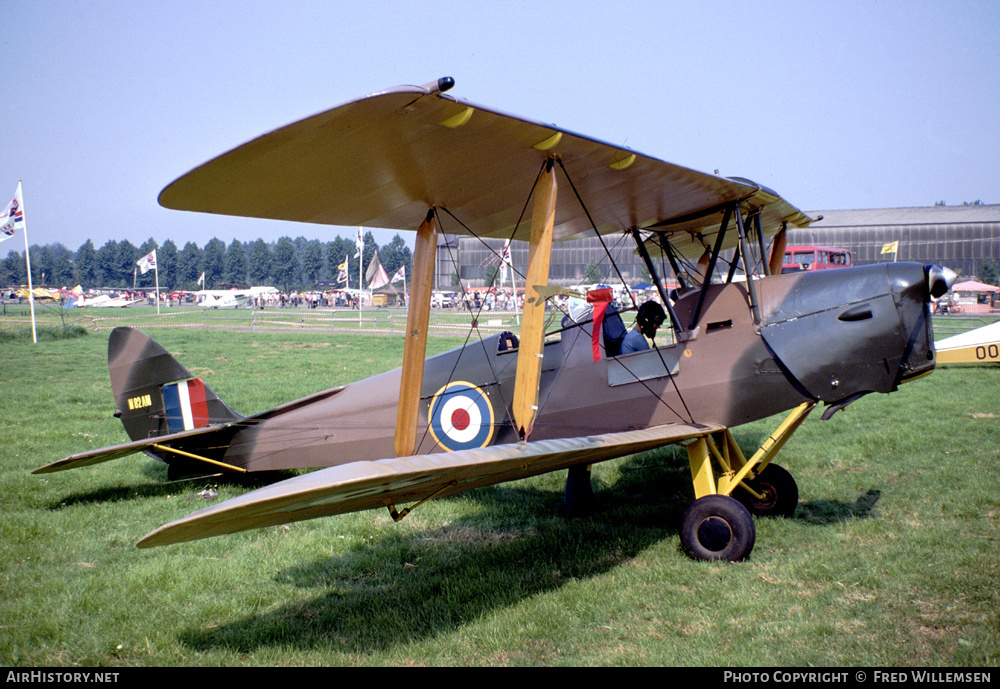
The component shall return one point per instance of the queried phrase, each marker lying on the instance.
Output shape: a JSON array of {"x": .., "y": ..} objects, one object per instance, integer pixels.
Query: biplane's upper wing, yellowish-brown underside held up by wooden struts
[{"x": 383, "y": 160}]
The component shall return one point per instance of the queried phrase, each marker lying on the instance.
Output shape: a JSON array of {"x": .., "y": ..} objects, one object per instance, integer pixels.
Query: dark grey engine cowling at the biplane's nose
[{"x": 846, "y": 332}]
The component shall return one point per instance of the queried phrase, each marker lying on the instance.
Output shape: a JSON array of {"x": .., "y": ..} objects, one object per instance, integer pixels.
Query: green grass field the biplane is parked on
[{"x": 892, "y": 559}]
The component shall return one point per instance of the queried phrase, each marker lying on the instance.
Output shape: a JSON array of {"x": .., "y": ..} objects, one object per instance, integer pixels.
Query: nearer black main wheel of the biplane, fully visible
[{"x": 717, "y": 527}]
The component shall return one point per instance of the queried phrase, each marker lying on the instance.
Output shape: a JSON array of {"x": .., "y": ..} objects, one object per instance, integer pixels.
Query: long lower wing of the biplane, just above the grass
[{"x": 364, "y": 485}]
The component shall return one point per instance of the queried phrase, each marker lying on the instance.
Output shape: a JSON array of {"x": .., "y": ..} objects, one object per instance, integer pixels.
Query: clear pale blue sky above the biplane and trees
[{"x": 835, "y": 105}]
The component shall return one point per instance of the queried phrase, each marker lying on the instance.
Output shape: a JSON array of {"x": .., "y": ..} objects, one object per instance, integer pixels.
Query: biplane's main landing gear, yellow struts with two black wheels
[{"x": 718, "y": 525}]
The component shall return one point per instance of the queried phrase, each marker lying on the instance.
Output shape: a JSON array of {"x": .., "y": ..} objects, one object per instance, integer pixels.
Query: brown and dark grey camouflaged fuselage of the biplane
[{"x": 827, "y": 336}]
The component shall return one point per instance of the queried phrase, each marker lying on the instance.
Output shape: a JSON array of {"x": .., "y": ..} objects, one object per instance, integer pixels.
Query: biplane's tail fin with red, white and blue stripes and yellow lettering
[{"x": 154, "y": 394}]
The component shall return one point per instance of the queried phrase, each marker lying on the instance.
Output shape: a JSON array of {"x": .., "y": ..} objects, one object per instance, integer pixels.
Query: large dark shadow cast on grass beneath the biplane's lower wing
[{"x": 403, "y": 586}]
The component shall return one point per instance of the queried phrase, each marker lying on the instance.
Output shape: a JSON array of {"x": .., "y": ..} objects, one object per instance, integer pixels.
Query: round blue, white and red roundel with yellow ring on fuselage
[{"x": 461, "y": 417}]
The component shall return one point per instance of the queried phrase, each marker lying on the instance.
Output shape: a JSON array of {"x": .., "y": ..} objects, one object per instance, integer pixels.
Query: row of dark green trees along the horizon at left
[{"x": 288, "y": 264}]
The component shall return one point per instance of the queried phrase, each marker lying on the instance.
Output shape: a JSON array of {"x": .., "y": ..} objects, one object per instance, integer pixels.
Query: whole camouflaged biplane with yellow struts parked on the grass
[{"x": 740, "y": 341}]
